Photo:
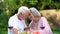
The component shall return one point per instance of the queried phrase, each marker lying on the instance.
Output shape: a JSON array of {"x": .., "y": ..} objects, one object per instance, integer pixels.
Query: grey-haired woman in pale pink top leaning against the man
[{"x": 38, "y": 22}]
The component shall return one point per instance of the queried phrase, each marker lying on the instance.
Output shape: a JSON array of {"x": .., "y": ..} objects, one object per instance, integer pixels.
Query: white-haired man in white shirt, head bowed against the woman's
[{"x": 17, "y": 22}]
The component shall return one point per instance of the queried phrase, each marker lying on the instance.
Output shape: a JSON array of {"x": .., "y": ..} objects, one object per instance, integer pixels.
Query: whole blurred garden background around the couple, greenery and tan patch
[{"x": 48, "y": 8}]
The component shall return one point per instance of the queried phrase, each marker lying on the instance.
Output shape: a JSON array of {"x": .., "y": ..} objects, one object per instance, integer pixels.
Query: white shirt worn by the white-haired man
[{"x": 16, "y": 23}]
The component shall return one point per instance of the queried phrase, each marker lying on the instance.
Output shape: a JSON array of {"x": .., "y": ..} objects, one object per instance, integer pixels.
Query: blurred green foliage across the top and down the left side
[{"x": 13, "y": 5}]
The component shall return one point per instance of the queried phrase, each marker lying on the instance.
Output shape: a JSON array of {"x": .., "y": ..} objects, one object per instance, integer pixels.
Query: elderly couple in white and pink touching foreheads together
[{"x": 17, "y": 22}]
